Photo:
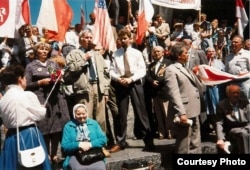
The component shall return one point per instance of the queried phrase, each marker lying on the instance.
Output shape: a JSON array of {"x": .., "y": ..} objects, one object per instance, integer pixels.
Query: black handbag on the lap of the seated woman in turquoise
[{"x": 90, "y": 156}]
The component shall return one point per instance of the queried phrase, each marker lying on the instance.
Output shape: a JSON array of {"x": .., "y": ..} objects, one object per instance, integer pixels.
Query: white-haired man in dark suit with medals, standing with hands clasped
[{"x": 155, "y": 78}]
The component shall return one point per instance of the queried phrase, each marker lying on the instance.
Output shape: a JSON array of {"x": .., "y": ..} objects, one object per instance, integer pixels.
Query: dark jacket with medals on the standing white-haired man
[{"x": 159, "y": 76}]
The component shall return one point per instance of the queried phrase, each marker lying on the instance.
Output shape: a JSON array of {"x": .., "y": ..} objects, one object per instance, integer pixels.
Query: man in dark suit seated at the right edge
[{"x": 233, "y": 117}]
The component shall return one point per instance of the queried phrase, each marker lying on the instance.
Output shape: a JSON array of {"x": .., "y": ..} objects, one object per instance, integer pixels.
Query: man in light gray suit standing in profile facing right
[{"x": 184, "y": 91}]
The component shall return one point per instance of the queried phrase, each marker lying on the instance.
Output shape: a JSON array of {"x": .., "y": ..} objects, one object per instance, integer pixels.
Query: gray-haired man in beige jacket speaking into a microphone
[{"x": 88, "y": 73}]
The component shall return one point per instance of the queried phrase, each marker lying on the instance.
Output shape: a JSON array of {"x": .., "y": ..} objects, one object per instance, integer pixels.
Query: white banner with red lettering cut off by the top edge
[{"x": 179, "y": 4}]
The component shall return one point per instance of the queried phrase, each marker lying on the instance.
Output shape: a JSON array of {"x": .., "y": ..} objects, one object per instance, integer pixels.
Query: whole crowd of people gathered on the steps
[{"x": 77, "y": 82}]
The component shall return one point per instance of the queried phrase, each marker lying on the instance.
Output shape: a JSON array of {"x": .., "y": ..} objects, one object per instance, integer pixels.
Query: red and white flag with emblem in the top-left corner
[{"x": 13, "y": 14}]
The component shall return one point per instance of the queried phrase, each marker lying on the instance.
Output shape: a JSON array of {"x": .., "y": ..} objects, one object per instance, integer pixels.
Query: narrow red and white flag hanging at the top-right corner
[{"x": 241, "y": 16}]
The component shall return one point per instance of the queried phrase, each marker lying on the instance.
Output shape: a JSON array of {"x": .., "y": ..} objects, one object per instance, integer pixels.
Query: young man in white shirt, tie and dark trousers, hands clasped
[{"x": 127, "y": 71}]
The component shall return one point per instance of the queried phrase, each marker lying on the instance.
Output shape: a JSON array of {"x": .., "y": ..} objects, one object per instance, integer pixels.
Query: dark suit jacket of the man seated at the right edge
[{"x": 225, "y": 119}]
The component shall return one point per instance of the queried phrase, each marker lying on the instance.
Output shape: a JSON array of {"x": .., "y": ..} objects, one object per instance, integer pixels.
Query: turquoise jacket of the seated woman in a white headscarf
[{"x": 70, "y": 144}]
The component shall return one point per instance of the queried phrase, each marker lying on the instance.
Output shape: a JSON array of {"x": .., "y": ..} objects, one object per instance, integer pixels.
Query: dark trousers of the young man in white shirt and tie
[{"x": 136, "y": 94}]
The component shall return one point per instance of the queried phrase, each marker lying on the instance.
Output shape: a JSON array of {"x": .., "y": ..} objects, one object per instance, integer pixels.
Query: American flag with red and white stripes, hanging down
[{"x": 103, "y": 32}]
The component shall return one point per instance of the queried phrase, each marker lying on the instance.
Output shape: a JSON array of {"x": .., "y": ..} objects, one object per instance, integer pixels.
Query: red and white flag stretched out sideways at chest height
[{"x": 212, "y": 76}]
